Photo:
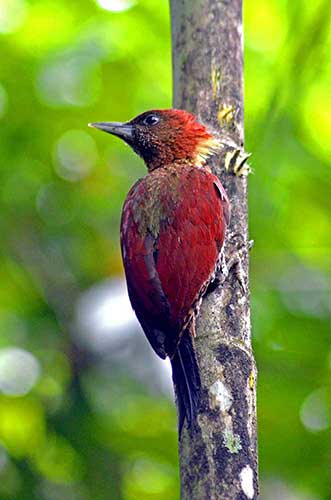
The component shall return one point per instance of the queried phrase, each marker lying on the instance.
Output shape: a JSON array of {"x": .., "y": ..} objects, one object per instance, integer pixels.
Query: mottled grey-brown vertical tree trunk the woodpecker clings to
[{"x": 218, "y": 457}]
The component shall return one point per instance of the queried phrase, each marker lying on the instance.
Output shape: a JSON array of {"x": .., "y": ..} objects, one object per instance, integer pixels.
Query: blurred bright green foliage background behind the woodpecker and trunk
[{"x": 84, "y": 428}]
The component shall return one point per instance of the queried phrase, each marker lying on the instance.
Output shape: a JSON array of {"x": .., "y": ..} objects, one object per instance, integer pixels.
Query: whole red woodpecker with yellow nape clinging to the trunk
[{"x": 172, "y": 232}]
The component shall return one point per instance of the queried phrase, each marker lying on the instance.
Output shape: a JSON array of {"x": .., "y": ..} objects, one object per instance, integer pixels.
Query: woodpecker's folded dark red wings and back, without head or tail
[{"x": 166, "y": 272}]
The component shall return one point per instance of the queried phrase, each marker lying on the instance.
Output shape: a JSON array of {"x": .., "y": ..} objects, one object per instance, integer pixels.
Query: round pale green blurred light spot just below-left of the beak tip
[{"x": 75, "y": 155}]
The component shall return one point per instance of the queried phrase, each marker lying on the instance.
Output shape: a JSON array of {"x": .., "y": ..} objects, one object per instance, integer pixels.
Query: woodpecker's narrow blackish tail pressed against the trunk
[{"x": 186, "y": 378}]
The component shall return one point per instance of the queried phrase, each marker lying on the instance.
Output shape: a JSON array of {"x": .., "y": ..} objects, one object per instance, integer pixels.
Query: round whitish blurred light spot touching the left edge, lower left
[{"x": 19, "y": 371}]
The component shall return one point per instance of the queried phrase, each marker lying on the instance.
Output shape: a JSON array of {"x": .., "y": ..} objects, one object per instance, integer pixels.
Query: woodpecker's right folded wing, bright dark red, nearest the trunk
[{"x": 189, "y": 247}]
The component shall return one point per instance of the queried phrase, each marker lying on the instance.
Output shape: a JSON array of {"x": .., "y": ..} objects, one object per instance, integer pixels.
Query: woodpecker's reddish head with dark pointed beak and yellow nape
[{"x": 164, "y": 137}]
